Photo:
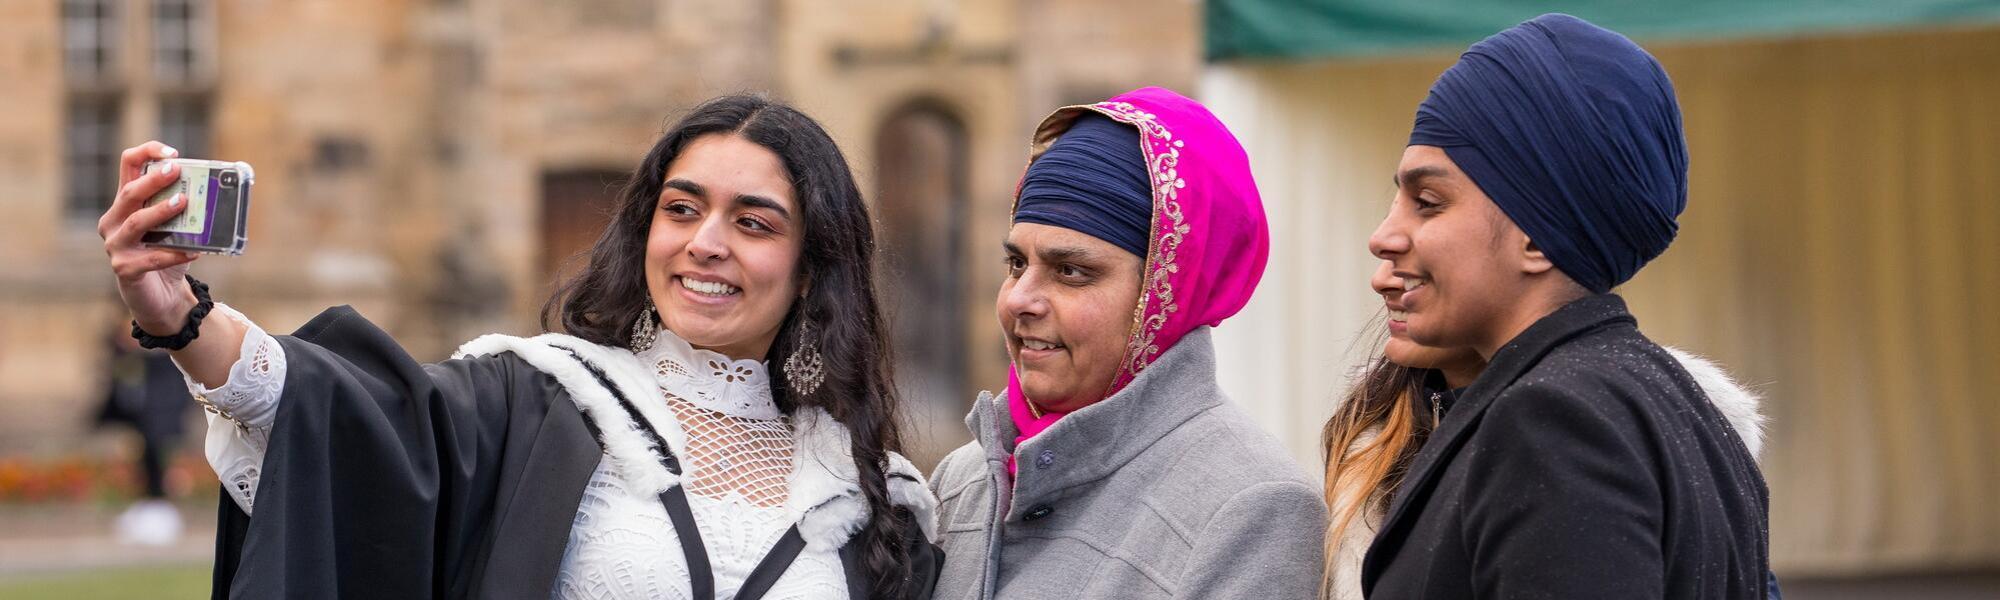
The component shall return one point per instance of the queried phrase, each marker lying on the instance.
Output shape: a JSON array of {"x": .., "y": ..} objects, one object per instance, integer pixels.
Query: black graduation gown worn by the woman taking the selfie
[{"x": 391, "y": 479}]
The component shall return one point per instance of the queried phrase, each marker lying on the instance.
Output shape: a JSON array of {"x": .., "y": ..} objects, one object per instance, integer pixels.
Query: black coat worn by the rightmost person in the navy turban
[{"x": 1585, "y": 463}]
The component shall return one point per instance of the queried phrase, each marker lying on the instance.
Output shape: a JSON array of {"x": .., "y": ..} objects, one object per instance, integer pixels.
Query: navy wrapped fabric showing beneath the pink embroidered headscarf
[{"x": 1093, "y": 179}]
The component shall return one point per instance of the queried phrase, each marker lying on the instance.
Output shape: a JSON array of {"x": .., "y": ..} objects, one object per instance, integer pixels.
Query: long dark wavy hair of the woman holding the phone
[{"x": 605, "y": 301}]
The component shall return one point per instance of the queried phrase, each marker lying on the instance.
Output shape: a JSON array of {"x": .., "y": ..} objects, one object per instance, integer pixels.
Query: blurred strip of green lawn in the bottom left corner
[{"x": 145, "y": 583}]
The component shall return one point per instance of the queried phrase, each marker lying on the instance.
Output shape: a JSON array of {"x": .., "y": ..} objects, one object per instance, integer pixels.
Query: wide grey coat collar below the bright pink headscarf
[{"x": 1097, "y": 441}]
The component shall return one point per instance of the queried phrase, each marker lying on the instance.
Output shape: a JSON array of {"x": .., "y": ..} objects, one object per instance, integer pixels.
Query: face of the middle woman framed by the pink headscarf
[{"x": 1067, "y": 311}]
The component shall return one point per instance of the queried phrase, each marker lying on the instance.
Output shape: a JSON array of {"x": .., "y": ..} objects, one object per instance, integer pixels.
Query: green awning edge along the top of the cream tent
[{"x": 1333, "y": 29}]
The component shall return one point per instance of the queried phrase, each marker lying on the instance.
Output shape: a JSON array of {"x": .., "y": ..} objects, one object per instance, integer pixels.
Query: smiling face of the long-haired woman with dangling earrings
[{"x": 725, "y": 245}]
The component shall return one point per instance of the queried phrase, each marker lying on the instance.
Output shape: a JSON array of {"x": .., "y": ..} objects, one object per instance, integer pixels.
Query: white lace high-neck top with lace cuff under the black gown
[{"x": 751, "y": 473}]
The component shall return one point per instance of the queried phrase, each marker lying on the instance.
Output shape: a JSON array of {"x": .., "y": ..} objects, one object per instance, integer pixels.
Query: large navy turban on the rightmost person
[{"x": 1575, "y": 133}]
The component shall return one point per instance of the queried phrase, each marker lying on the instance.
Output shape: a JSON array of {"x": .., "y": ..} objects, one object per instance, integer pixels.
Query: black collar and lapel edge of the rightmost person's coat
[{"x": 1509, "y": 365}]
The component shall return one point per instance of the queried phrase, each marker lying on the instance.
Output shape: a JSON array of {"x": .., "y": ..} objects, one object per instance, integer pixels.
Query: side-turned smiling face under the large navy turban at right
[{"x": 1463, "y": 265}]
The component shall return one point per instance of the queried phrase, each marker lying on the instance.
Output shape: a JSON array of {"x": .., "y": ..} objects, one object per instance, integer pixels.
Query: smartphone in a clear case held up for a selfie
[{"x": 219, "y": 207}]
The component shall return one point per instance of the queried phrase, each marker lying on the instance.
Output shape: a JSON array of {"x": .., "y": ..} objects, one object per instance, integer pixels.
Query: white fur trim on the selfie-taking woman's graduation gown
[{"x": 823, "y": 491}]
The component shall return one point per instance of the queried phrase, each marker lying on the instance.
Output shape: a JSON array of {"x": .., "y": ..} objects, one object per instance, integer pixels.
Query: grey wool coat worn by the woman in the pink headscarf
[{"x": 1161, "y": 491}]
